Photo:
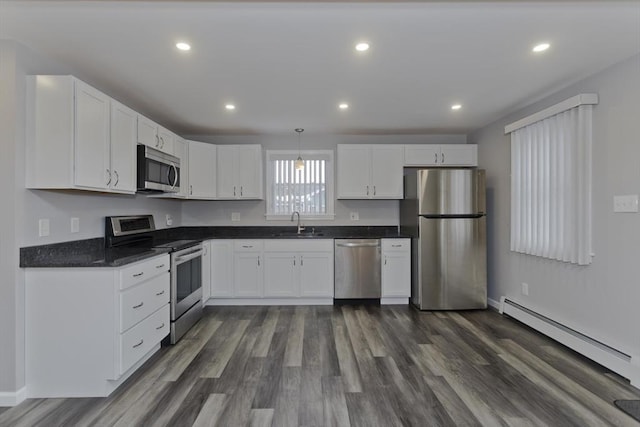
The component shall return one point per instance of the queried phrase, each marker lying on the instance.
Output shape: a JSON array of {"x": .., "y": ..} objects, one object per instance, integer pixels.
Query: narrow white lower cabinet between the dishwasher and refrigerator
[{"x": 396, "y": 271}]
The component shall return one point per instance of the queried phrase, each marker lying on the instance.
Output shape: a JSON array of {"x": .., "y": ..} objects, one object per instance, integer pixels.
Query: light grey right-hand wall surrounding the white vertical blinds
[{"x": 601, "y": 299}]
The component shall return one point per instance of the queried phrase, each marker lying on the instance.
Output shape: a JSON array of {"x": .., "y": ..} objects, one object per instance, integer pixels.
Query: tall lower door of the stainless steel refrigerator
[{"x": 451, "y": 264}]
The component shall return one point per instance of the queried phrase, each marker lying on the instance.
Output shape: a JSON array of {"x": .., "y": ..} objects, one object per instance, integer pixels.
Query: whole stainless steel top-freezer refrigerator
[{"x": 444, "y": 212}]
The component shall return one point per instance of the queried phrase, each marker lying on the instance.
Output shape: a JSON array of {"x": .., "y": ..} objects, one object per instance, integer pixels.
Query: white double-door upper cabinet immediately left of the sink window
[{"x": 239, "y": 172}]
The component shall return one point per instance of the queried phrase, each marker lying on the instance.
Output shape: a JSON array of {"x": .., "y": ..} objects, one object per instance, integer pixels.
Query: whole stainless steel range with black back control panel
[{"x": 186, "y": 266}]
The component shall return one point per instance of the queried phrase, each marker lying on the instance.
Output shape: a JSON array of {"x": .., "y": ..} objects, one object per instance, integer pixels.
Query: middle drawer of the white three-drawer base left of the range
[{"x": 139, "y": 301}]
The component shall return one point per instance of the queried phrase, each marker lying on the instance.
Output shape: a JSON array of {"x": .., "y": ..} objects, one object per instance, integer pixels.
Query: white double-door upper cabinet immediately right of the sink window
[{"x": 370, "y": 171}]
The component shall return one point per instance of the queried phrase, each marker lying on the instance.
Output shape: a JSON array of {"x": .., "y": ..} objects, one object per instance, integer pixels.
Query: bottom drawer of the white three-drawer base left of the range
[{"x": 137, "y": 341}]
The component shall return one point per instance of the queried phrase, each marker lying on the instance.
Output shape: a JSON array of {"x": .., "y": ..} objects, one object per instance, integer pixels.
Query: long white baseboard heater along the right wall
[{"x": 607, "y": 356}]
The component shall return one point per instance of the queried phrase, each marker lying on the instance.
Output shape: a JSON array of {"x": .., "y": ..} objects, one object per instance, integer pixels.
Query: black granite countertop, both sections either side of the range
[{"x": 92, "y": 252}]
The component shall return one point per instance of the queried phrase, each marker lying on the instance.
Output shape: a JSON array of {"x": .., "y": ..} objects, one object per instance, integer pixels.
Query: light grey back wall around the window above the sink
[{"x": 371, "y": 212}]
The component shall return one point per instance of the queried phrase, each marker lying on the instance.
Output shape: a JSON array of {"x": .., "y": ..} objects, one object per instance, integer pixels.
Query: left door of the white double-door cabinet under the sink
[{"x": 281, "y": 274}]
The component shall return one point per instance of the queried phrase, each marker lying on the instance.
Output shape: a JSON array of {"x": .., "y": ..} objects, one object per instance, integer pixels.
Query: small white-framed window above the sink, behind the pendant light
[{"x": 308, "y": 191}]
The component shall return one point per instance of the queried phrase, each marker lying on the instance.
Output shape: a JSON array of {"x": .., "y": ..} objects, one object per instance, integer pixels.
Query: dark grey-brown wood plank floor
[{"x": 359, "y": 366}]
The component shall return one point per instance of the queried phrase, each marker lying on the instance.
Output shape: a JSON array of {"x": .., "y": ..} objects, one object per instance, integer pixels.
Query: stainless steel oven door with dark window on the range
[{"x": 186, "y": 280}]
